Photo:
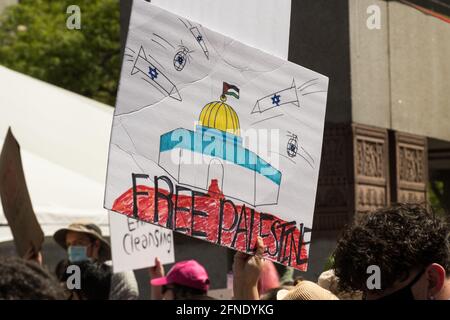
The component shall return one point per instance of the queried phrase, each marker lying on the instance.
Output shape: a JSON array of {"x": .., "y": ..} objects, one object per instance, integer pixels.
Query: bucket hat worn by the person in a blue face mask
[{"x": 90, "y": 229}]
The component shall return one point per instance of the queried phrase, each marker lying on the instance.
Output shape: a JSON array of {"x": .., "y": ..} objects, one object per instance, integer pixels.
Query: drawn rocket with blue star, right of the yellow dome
[{"x": 277, "y": 99}]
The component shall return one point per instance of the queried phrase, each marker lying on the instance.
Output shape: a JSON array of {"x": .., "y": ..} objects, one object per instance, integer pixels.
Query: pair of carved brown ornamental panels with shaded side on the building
[{"x": 355, "y": 174}]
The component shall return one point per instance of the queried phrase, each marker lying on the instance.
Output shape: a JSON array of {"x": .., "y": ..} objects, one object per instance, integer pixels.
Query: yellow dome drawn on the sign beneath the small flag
[{"x": 220, "y": 116}]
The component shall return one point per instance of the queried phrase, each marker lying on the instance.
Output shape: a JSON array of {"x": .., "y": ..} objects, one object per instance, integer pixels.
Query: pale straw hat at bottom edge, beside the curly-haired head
[{"x": 306, "y": 290}]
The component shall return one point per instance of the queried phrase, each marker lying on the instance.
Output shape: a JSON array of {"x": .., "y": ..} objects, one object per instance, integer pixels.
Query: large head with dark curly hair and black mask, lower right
[{"x": 410, "y": 247}]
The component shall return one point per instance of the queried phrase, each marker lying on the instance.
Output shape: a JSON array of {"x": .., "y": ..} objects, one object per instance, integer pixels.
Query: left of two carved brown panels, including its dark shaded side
[{"x": 354, "y": 174}]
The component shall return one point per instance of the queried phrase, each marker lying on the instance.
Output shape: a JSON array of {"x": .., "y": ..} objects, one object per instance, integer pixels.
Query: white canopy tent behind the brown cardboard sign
[{"x": 64, "y": 140}]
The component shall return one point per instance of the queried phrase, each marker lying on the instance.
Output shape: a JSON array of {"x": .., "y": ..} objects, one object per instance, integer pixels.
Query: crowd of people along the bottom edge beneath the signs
[{"x": 409, "y": 246}]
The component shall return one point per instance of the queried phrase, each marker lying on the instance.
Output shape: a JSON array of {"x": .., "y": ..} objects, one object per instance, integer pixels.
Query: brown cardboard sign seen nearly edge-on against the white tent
[{"x": 16, "y": 201}]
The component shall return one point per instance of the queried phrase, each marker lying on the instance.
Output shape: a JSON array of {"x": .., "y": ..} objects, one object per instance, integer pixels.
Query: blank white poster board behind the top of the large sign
[{"x": 263, "y": 24}]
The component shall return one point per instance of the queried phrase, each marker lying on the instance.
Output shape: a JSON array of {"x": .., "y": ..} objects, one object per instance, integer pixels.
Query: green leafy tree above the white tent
[{"x": 35, "y": 40}]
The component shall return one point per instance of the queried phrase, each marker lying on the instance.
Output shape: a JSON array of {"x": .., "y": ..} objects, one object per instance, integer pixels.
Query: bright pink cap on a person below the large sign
[{"x": 185, "y": 273}]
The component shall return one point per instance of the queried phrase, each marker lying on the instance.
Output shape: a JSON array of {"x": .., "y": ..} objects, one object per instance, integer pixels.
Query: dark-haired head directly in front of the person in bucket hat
[{"x": 95, "y": 281}]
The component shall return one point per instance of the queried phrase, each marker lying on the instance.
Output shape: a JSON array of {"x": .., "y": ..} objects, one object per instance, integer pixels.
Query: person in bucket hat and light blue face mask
[{"x": 84, "y": 242}]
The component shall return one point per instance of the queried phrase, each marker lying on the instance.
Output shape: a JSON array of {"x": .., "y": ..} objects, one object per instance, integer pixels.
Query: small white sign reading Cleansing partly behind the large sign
[{"x": 135, "y": 244}]
